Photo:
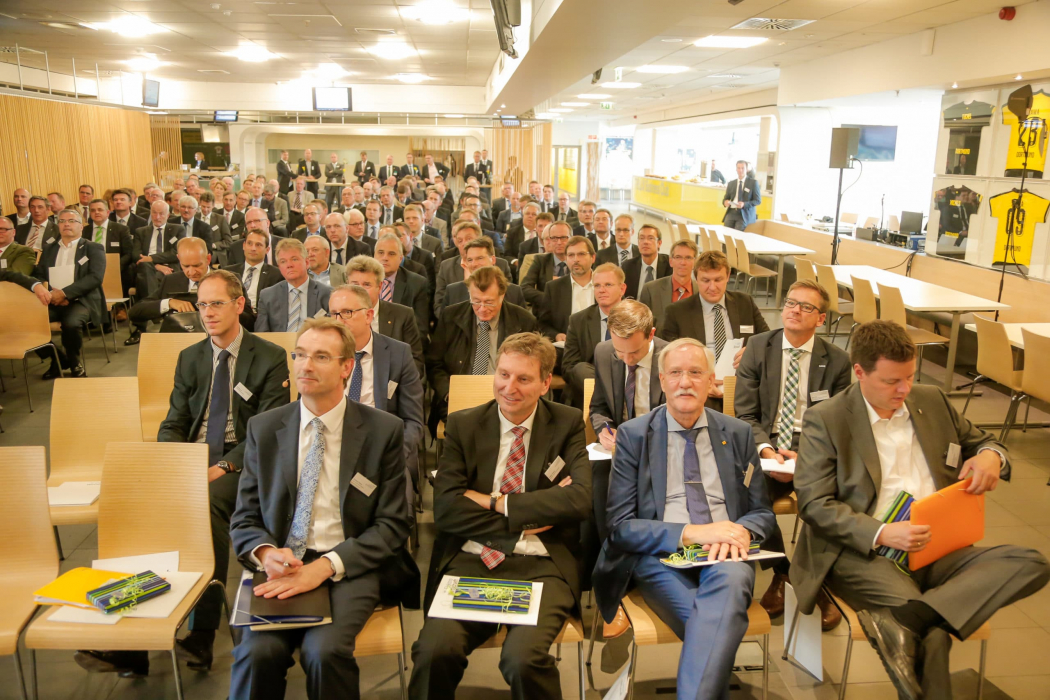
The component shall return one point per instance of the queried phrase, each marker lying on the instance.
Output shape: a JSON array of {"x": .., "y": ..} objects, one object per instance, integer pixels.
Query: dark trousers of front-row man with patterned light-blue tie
[{"x": 262, "y": 661}]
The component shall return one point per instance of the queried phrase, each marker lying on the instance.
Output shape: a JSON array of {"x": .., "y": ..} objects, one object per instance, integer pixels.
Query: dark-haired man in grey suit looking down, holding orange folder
[{"x": 851, "y": 470}]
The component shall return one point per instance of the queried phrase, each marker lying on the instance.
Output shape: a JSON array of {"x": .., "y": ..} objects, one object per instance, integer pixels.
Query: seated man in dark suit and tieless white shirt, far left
[{"x": 75, "y": 303}]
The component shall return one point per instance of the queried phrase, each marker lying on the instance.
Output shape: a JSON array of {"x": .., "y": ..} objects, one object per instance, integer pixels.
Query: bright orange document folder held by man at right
[{"x": 956, "y": 520}]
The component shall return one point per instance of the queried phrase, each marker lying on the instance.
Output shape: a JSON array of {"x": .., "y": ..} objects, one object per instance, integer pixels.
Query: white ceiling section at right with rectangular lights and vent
[{"x": 841, "y": 26}]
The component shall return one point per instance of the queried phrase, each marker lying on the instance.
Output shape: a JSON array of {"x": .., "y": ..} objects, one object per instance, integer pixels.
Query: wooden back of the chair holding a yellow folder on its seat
[{"x": 155, "y": 499}]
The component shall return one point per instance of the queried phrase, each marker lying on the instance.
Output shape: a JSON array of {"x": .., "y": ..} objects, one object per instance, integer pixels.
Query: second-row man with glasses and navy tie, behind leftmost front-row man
[{"x": 221, "y": 383}]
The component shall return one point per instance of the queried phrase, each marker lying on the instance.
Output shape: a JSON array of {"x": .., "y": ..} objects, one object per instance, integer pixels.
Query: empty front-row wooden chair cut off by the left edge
[{"x": 35, "y": 562}]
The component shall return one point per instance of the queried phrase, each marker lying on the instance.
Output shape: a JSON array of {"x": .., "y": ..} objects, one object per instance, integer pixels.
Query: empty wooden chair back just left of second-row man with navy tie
[{"x": 158, "y": 356}]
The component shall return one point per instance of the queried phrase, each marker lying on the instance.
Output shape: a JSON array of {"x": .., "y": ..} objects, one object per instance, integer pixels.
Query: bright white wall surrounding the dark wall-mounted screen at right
[{"x": 806, "y": 183}]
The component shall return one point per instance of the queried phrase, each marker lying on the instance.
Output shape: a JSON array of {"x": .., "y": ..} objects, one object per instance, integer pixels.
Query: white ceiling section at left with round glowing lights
[{"x": 304, "y": 34}]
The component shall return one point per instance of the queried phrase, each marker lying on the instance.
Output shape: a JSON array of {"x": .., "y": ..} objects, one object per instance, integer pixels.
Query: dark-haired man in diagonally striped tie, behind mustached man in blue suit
[{"x": 720, "y": 320}]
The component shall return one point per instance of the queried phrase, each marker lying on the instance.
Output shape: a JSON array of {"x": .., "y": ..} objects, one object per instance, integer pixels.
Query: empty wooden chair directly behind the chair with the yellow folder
[{"x": 87, "y": 416}]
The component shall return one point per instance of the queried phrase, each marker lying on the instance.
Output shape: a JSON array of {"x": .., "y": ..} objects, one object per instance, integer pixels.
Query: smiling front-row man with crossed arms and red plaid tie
[{"x": 527, "y": 451}]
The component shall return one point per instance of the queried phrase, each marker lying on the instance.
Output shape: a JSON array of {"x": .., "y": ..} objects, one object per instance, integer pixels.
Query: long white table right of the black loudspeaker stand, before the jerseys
[{"x": 920, "y": 296}]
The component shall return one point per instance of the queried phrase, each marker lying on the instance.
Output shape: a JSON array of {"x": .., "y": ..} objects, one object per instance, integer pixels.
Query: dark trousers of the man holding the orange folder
[{"x": 965, "y": 588}]
